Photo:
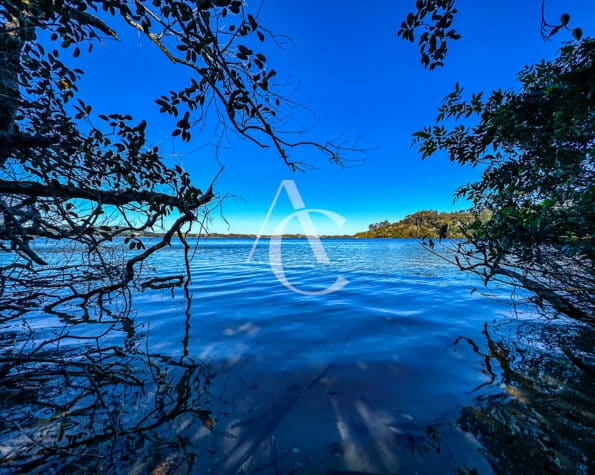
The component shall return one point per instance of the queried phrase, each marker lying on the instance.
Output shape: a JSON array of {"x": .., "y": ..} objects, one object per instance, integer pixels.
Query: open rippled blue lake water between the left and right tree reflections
[{"x": 371, "y": 365}]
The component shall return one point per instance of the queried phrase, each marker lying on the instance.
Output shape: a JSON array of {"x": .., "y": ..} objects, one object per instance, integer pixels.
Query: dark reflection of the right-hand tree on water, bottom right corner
[{"x": 542, "y": 417}]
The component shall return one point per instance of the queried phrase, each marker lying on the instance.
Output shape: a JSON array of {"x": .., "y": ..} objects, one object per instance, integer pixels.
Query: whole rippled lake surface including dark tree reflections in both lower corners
[{"x": 405, "y": 370}]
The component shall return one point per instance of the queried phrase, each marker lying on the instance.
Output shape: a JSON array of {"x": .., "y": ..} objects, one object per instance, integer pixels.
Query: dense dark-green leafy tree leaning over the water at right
[{"x": 536, "y": 145}]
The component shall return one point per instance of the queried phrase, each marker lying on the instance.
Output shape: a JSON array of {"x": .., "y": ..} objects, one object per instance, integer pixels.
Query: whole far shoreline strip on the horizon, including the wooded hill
[{"x": 421, "y": 224}]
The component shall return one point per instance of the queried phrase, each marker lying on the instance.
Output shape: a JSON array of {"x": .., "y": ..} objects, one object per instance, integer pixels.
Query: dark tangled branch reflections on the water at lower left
[{"x": 88, "y": 395}]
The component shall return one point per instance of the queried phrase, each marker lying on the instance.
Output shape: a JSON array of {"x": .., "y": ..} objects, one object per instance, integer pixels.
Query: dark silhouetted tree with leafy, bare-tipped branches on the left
[{"x": 82, "y": 180}]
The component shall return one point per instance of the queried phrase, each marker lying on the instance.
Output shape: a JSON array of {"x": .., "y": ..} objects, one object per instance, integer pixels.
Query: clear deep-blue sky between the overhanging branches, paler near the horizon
[{"x": 357, "y": 79}]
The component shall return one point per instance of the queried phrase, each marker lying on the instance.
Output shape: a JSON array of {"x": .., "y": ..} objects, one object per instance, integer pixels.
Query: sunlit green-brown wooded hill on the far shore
[{"x": 423, "y": 224}]
